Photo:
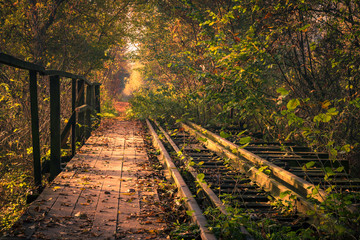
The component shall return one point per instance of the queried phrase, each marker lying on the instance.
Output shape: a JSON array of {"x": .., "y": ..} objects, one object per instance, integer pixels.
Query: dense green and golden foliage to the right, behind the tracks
[{"x": 285, "y": 70}]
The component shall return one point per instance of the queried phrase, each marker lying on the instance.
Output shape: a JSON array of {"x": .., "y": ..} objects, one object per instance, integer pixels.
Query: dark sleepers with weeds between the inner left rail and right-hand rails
[{"x": 224, "y": 183}]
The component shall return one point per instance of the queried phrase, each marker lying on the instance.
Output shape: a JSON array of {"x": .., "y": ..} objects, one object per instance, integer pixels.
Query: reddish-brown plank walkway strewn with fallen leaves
[{"x": 105, "y": 192}]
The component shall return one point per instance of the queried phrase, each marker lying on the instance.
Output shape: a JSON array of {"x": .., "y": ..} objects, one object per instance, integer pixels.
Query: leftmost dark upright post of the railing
[{"x": 35, "y": 127}]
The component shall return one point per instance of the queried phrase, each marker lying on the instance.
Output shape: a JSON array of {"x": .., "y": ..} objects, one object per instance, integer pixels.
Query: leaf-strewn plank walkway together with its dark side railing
[{"x": 105, "y": 191}]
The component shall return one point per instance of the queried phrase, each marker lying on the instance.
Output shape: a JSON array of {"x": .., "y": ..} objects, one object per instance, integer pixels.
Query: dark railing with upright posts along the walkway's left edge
[{"x": 85, "y": 103}]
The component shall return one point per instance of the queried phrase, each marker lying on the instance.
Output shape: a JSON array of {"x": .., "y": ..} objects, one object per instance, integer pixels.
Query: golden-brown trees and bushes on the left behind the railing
[{"x": 83, "y": 38}]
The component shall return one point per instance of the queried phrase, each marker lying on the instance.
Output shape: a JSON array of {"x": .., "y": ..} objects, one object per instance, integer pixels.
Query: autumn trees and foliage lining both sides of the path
[{"x": 287, "y": 70}]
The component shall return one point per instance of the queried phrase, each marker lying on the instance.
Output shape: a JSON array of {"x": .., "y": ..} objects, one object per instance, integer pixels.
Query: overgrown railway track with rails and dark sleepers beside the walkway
[{"x": 251, "y": 178}]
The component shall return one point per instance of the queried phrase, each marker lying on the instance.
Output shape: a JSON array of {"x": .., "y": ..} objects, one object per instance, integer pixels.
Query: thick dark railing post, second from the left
[{"x": 55, "y": 138}]
